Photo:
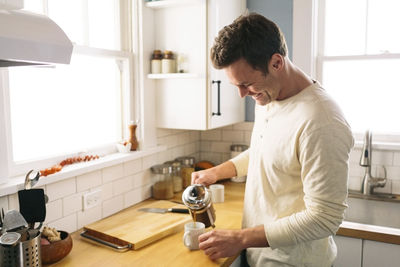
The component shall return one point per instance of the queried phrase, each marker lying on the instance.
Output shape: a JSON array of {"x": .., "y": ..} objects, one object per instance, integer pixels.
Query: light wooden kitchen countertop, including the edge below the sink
[{"x": 170, "y": 250}]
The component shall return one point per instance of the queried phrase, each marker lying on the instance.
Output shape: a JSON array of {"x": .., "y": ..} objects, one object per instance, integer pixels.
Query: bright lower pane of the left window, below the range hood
[{"x": 64, "y": 109}]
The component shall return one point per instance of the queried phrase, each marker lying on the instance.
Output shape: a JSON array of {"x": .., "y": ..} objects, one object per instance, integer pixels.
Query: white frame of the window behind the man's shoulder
[{"x": 308, "y": 42}]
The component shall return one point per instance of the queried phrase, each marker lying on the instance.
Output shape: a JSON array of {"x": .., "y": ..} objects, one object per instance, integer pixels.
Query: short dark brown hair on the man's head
[{"x": 252, "y": 37}]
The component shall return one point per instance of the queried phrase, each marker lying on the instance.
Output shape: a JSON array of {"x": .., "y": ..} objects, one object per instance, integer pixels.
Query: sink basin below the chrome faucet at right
[{"x": 381, "y": 210}]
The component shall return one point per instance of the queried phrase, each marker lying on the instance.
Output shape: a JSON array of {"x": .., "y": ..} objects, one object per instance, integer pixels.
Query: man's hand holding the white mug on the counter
[{"x": 221, "y": 243}]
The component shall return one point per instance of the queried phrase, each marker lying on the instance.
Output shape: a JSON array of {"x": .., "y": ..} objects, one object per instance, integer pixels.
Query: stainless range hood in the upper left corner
[{"x": 31, "y": 39}]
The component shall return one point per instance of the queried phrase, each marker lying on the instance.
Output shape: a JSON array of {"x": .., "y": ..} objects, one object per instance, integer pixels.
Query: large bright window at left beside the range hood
[{"x": 55, "y": 112}]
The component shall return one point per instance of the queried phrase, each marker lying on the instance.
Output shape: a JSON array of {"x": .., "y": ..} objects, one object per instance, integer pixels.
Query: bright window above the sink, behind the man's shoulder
[{"x": 358, "y": 61}]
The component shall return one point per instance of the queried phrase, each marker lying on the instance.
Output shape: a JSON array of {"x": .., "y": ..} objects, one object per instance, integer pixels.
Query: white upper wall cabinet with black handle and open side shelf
[{"x": 190, "y": 100}]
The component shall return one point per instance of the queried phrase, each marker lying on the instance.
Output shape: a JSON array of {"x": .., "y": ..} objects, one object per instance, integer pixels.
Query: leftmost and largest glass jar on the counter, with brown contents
[{"x": 163, "y": 187}]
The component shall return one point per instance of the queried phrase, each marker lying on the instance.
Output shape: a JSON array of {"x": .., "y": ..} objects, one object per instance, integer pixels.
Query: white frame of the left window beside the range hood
[{"x": 130, "y": 96}]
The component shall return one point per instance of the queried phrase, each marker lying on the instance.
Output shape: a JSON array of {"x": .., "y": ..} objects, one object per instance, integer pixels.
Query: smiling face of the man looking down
[{"x": 262, "y": 88}]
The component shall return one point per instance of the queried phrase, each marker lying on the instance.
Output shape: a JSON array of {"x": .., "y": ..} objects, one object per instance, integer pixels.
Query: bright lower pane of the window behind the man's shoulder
[{"x": 367, "y": 91}]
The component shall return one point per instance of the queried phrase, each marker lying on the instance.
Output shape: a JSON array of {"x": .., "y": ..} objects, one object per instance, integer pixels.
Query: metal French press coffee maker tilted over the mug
[{"x": 198, "y": 199}]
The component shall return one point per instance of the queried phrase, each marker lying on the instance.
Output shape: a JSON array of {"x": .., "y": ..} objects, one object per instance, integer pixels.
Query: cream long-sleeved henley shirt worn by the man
[{"x": 297, "y": 171}]
